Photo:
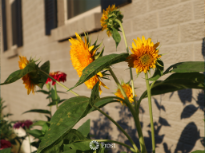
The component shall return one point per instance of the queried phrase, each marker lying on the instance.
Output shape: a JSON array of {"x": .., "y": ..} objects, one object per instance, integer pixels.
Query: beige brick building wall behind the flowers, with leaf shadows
[{"x": 176, "y": 24}]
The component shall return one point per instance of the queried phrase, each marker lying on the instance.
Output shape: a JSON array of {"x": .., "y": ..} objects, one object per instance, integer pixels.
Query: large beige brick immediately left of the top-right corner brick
[{"x": 176, "y": 14}]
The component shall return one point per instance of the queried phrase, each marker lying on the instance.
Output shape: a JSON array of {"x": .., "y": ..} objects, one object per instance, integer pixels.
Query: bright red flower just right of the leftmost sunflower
[{"x": 59, "y": 76}]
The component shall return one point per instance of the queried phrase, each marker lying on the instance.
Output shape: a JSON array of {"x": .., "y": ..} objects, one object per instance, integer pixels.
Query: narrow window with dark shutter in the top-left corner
[{"x": 11, "y": 22}]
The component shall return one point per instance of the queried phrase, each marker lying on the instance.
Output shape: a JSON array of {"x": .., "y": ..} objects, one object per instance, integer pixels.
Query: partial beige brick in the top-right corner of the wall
[{"x": 198, "y": 9}]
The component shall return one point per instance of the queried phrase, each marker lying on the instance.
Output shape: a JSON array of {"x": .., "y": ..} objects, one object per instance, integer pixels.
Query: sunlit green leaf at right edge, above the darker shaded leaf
[{"x": 186, "y": 67}]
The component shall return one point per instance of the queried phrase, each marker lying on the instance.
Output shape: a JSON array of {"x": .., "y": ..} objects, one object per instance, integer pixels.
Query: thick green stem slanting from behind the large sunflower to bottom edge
[{"x": 134, "y": 114}]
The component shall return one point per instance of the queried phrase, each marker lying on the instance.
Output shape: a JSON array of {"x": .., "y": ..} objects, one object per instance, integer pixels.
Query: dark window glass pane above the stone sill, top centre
[{"x": 75, "y": 7}]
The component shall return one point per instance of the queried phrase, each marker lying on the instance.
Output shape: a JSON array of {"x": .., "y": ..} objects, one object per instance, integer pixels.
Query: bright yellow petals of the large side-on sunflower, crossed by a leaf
[{"x": 81, "y": 57}]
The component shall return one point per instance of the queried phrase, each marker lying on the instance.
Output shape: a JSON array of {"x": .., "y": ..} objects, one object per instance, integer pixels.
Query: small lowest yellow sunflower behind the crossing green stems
[{"x": 128, "y": 91}]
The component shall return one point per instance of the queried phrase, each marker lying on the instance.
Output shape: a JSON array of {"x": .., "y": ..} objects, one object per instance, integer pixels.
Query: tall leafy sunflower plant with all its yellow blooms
[{"x": 57, "y": 134}]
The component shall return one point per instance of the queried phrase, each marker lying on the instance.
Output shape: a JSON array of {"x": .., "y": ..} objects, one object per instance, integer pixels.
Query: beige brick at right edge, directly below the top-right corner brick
[{"x": 192, "y": 31}]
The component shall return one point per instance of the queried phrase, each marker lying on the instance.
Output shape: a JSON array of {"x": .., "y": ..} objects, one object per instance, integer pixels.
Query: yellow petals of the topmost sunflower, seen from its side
[{"x": 105, "y": 17}]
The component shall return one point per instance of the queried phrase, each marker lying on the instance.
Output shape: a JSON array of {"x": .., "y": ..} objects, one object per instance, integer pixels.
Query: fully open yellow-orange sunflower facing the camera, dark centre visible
[{"x": 144, "y": 55}]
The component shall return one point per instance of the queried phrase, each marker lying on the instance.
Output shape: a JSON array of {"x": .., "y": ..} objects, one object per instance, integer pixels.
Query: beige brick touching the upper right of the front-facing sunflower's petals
[{"x": 165, "y": 36}]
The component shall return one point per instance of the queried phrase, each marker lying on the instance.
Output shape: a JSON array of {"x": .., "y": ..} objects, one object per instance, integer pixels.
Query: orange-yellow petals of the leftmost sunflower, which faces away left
[{"x": 26, "y": 79}]
